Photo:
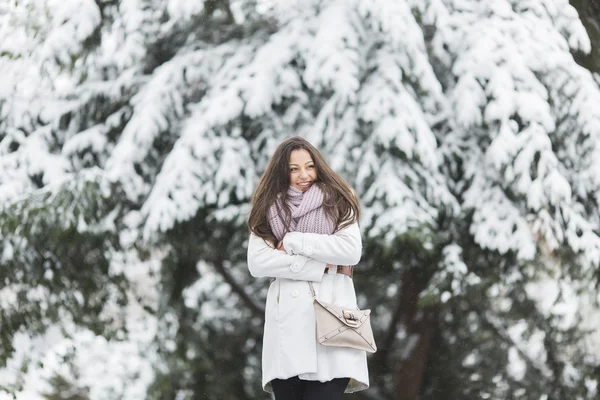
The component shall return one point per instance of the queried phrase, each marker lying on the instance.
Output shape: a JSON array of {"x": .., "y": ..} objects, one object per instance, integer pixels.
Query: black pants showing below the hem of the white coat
[{"x": 298, "y": 389}]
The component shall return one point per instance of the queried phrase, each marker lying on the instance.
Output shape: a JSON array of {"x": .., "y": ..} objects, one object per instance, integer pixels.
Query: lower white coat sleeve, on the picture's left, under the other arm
[{"x": 265, "y": 261}]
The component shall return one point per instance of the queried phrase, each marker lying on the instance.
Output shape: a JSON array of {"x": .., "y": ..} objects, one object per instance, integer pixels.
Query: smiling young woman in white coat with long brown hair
[{"x": 304, "y": 227}]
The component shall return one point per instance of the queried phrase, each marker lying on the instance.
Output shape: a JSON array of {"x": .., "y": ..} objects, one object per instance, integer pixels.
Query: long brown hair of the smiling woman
[{"x": 339, "y": 202}]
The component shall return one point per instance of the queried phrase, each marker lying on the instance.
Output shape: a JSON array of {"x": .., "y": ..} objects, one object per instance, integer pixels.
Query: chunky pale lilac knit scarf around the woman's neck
[{"x": 307, "y": 210}]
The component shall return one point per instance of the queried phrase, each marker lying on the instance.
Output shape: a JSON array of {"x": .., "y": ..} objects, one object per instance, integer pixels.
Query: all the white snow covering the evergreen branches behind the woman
[{"x": 457, "y": 119}]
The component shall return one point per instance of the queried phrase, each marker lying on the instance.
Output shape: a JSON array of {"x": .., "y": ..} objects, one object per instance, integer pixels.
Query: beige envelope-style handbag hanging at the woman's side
[{"x": 341, "y": 327}]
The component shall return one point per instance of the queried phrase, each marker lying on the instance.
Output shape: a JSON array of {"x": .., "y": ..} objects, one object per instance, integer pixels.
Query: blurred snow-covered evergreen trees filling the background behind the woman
[{"x": 133, "y": 132}]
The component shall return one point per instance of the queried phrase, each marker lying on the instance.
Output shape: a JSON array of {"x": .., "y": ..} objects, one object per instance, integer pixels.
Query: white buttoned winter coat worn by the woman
[{"x": 290, "y": 347}]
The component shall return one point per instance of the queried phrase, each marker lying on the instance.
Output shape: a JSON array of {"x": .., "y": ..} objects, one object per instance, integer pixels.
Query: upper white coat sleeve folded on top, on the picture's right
[{"x": 341, "y": 248}]
